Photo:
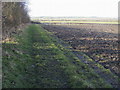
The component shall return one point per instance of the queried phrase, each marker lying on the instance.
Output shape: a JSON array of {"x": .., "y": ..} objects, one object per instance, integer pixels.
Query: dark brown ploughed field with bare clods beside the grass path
[{"x": 98, "y": 41}]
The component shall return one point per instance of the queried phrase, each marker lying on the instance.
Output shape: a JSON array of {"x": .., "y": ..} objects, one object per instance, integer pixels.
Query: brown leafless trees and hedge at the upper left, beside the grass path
[{"x": 13, "y": 15}]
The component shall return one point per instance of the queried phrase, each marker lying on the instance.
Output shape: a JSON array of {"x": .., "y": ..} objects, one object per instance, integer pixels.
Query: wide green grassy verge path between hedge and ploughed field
[{"x": 37, "y": 60}]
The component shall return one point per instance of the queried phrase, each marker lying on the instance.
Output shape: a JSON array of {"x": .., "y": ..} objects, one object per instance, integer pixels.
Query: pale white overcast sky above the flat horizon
[{"x": 86, "y": 8}]
